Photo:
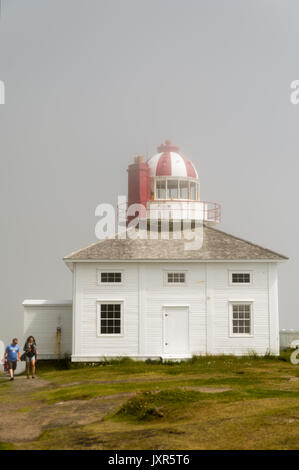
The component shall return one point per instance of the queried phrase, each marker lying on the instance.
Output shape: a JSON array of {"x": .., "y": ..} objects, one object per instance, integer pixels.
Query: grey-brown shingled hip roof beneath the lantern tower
[{"x": 217, "y": 245}]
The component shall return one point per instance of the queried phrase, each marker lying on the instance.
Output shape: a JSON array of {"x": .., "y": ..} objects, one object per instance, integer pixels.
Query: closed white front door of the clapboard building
[{"x": 176, "y": 331}]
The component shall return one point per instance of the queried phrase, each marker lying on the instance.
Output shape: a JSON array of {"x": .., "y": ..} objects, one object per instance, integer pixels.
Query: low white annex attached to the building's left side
[{"x": 50, "y": 323}]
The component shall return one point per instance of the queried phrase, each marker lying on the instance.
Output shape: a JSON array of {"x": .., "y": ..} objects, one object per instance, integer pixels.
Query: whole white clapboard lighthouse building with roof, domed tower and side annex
[{"x": 158, "y": 294}]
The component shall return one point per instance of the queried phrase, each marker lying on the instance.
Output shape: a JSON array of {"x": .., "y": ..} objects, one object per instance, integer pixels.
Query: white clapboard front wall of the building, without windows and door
[{"x": 207, "y": 293}]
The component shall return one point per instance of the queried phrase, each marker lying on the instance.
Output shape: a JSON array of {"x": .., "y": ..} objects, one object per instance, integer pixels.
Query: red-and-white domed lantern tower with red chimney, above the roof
[{"x": 167, "y": 188}]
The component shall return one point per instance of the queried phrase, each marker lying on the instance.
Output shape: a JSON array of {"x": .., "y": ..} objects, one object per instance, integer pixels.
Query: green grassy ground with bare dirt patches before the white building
[{"x": 209, "y": 402}]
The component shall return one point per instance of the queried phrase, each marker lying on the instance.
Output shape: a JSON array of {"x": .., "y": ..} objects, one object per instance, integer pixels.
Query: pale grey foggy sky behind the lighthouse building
[{"x": 90, "y": 84}]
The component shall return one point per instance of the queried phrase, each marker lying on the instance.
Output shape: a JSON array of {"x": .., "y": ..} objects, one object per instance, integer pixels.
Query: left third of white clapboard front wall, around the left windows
[{"x": 88, "y": 293}]
